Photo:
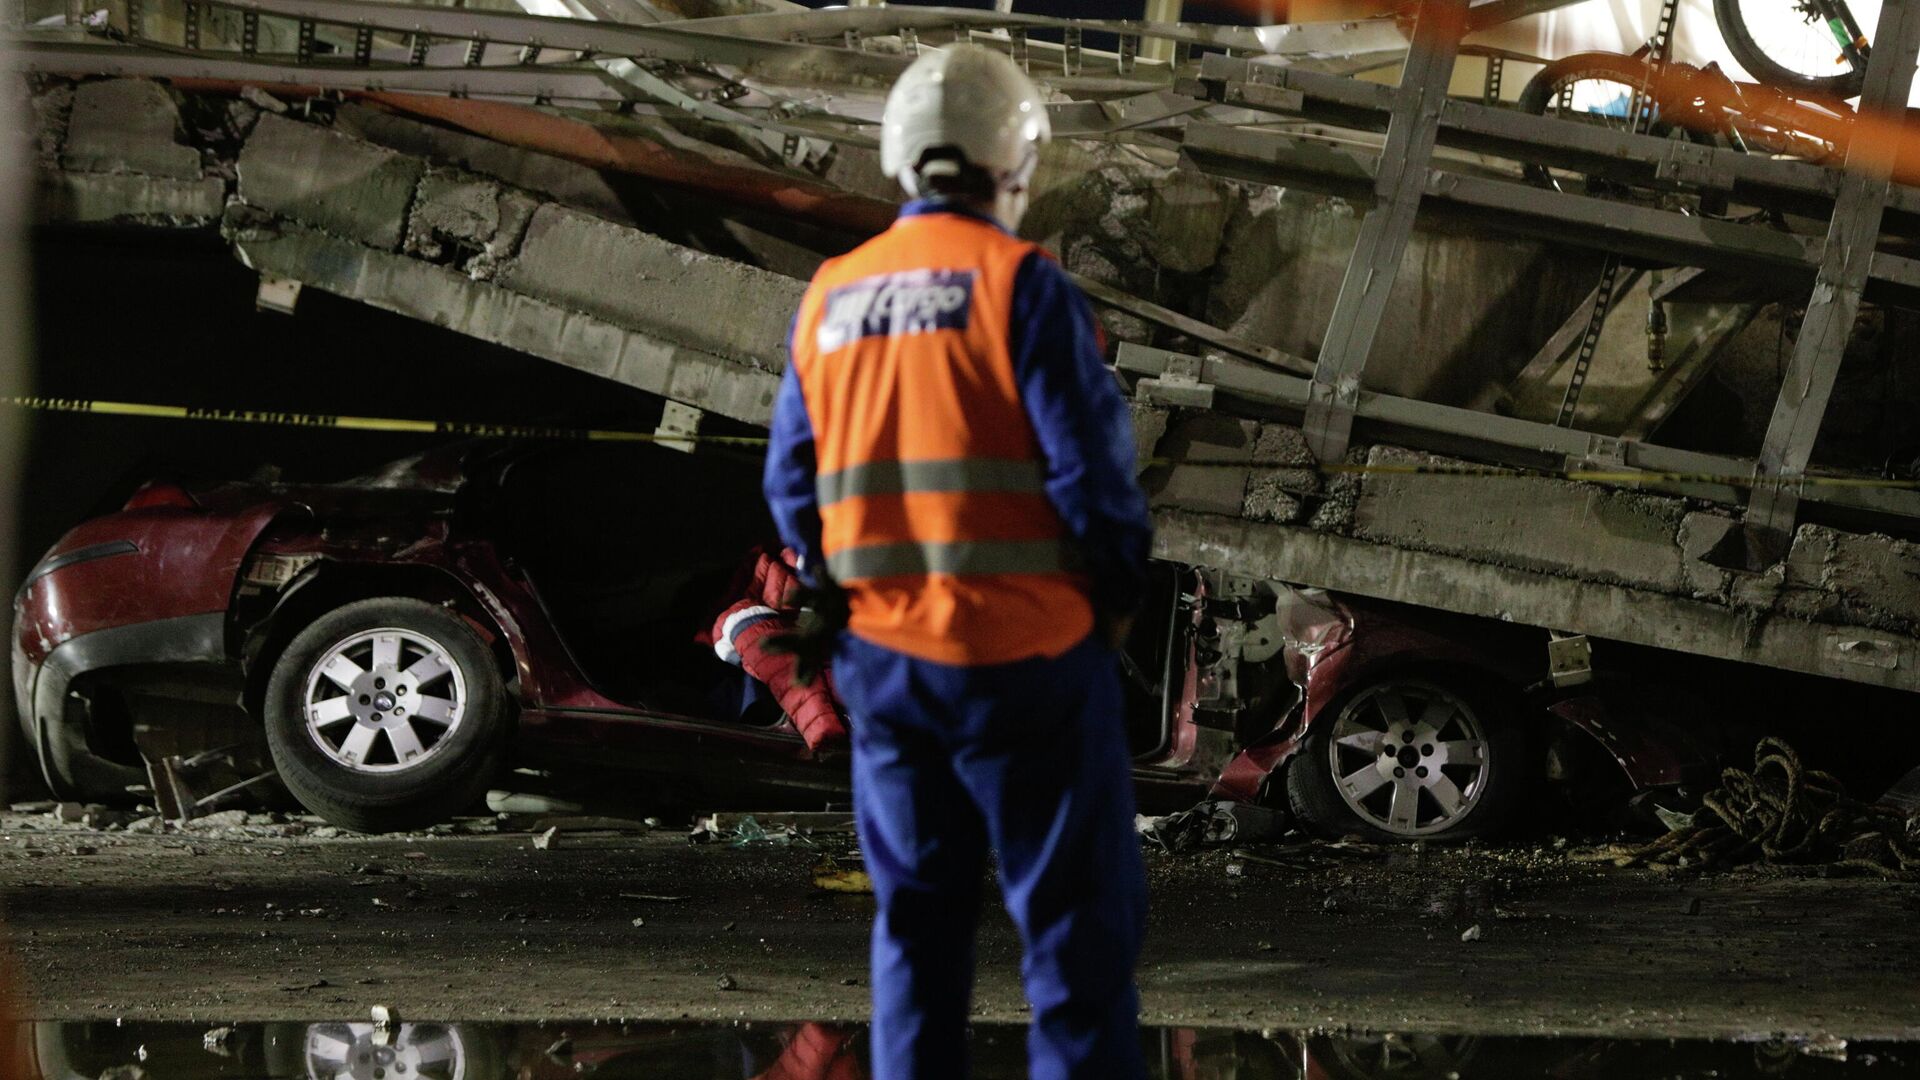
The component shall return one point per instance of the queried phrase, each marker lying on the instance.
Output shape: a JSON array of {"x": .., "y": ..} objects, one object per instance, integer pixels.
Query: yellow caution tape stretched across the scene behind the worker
[{"x": 604, "y": 435}]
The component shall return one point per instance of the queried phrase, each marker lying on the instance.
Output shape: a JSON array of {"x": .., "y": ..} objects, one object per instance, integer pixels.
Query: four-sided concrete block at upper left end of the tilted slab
[{"x": 329, "y": 182}]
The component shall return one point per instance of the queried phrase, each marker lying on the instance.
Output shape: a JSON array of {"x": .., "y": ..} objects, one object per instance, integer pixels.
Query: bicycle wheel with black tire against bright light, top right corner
[{"x": 1796, "y": 45}]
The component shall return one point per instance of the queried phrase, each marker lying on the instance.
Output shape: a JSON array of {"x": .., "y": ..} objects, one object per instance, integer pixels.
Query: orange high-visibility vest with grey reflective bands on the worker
[{"x": 932, "y": 485}]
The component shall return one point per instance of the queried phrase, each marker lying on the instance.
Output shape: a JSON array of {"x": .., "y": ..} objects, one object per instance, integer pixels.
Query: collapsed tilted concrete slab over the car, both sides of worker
[{"x": 471, "y": 251}]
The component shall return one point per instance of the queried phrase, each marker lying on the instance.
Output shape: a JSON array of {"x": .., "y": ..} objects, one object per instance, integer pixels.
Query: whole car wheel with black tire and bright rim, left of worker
[{"x": 387, "y": 716}]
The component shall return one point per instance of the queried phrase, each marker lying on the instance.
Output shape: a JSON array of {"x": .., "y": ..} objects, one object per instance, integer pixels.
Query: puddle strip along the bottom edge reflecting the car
[{"x": 345, "y": 1050}]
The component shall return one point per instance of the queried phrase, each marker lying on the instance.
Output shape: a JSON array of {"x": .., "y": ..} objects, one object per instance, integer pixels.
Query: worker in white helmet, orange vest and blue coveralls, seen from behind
[{"x": 955, "y": 468}]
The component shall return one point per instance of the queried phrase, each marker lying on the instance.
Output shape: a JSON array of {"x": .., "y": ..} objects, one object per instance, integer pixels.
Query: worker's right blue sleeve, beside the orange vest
[{"x": 1086, "y": 431}]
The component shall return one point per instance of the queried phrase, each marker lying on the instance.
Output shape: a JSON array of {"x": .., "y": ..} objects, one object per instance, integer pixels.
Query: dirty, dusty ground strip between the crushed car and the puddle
[{"x": 279, "y": 920}]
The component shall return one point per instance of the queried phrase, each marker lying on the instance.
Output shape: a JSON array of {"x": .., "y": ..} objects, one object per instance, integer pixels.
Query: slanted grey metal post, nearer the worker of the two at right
[{"x": 1383, "y": 235}]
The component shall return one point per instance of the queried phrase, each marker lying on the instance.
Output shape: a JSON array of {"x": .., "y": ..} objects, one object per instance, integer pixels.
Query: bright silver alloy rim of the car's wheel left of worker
[{"x": 385, "y": 700}]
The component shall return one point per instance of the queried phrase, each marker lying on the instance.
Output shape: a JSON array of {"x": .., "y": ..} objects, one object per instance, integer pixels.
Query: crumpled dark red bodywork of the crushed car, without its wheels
[{"x": 178, "y": 585}]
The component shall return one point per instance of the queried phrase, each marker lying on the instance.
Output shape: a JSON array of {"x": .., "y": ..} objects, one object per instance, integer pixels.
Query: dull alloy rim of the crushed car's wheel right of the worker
[{"x": 1410, "y": 758}]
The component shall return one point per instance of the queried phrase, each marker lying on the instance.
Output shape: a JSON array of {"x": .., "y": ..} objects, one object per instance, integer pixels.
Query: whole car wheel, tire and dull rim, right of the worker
[{"x": 1466, "y": 768}]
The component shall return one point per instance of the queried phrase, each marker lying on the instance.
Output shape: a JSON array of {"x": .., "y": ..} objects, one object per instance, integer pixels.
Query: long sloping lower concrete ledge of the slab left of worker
[{"x": 489, "y": 312}]
